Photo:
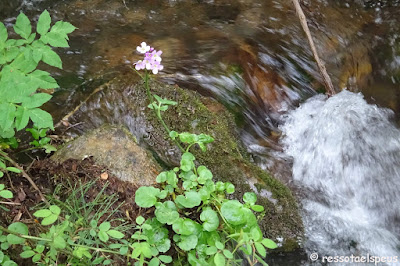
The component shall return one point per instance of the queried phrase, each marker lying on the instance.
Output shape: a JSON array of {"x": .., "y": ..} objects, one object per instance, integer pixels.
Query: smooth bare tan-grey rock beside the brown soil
[{"x": 115, "y": 148}]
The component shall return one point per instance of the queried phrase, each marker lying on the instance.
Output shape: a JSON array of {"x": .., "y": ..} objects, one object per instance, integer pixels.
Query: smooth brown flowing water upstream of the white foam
[{"x": 251, "y": 55}]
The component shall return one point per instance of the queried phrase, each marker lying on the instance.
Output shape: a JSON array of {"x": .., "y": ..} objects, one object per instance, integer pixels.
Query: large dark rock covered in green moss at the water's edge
[{"x": 122, "y": 101}]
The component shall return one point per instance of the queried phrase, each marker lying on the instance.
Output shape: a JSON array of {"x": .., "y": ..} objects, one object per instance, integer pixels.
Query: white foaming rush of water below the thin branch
[{"x": 346, "y": 162}]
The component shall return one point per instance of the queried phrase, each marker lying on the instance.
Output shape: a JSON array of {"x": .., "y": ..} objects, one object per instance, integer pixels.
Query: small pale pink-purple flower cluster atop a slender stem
[{"x": 152, "y": 58}]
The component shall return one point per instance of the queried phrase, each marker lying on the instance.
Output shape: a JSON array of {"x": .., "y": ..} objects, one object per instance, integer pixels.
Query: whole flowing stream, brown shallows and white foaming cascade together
[{"x": 340, "y": 156}]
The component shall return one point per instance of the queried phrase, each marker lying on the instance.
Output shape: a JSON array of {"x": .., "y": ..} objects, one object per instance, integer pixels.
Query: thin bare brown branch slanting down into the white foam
[{"x": 327, "y": 80}]
